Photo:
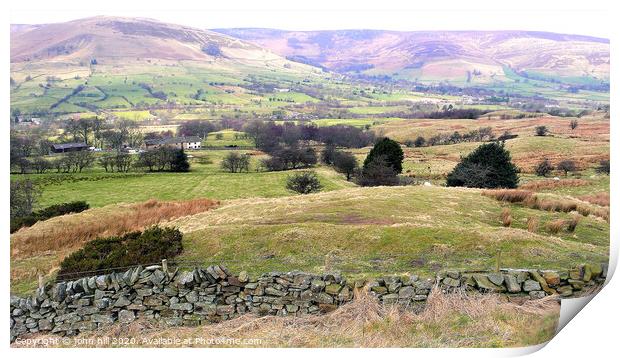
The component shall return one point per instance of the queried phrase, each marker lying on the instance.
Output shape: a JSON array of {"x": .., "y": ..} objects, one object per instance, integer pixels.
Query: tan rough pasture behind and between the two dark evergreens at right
[{"x": 587, "y": 145}]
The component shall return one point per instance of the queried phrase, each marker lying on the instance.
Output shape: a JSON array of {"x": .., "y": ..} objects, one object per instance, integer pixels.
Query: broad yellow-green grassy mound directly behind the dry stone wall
[{"x": 365, "y": 231}]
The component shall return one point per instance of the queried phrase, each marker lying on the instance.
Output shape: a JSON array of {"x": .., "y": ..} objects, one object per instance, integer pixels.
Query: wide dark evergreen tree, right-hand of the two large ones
[{"x": 488, "y": 166}]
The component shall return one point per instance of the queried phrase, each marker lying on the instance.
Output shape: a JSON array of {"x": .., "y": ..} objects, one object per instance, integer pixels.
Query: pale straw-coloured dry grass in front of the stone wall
[{"x": 449, "y": 320}]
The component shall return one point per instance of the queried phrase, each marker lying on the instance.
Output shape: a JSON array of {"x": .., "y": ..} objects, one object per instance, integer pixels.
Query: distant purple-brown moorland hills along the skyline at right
[{"x": 460, "y": 56}]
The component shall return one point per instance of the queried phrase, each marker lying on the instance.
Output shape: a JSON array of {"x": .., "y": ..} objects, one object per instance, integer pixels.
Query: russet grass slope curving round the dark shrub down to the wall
[{"x": 41, "y": 247}]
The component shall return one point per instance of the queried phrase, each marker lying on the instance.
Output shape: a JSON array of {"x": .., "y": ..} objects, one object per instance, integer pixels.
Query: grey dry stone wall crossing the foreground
[{"x": 214, "y": 294}]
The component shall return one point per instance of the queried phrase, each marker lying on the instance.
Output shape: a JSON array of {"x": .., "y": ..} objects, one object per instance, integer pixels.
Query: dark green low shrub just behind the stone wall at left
[{"x": 135, "y": 248}]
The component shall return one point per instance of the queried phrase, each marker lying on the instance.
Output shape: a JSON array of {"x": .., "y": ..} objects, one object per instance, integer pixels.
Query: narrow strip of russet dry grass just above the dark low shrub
[{"x": 70, "y": 231}]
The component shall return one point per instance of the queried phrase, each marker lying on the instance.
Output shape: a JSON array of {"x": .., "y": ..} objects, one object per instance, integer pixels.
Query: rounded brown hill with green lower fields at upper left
[{"x": 111, "y": 62}]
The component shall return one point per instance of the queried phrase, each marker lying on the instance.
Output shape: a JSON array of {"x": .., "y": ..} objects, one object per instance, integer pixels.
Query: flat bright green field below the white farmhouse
[{"x": 206, "y": 179}]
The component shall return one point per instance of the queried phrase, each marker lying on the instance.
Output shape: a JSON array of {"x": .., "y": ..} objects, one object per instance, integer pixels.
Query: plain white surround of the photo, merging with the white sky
[{"x": 592, "y": 331}]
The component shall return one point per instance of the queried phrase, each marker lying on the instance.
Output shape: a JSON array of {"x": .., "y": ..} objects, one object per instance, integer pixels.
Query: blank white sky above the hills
[{"x": 578, "y": 17}]
